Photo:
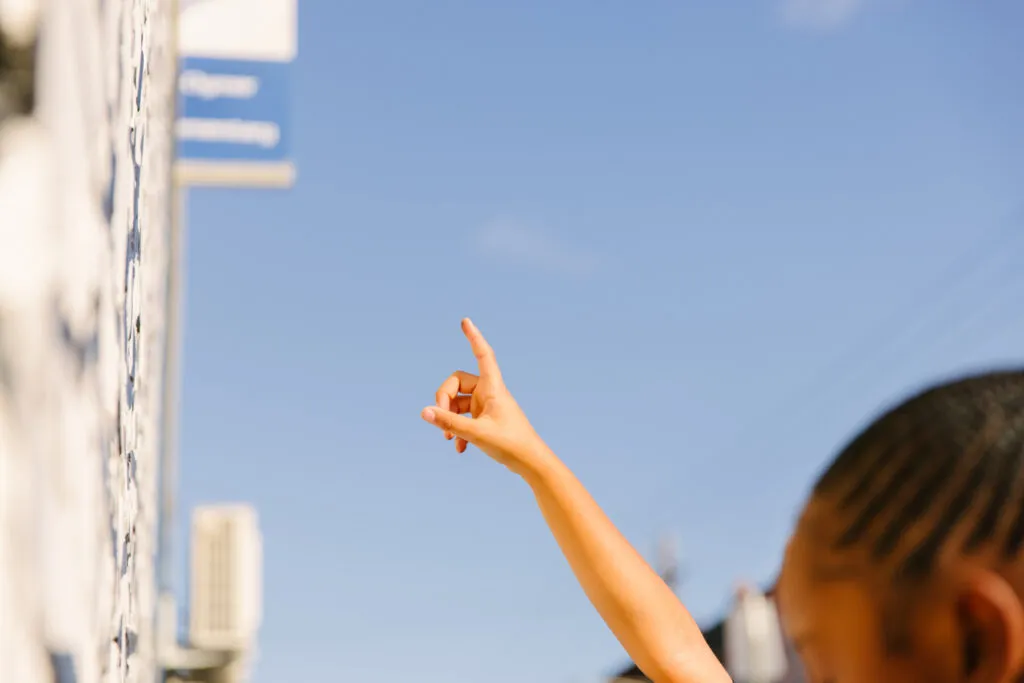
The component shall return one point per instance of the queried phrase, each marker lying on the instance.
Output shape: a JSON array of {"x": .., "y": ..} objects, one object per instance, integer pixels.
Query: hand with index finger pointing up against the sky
[{"x": 496, "y": 423}]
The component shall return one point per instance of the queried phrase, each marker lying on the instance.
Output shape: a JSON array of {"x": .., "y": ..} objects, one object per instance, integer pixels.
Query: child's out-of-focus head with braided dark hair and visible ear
[{"x": 908, "y": 563}]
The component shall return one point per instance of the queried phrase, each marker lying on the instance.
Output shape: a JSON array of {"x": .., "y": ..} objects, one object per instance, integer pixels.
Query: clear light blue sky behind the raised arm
[{"x": 708, "y": 242}]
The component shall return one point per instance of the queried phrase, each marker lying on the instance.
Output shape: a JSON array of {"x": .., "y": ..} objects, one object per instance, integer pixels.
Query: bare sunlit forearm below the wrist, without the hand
[{"x": 645, "y": 615}]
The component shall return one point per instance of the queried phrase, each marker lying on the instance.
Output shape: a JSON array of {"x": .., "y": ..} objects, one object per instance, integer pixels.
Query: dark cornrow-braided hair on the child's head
[{"x": 949, "y": 462}]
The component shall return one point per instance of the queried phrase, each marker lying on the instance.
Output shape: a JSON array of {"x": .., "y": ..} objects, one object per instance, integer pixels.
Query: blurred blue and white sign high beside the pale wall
[{"x": 234, "y": 101}]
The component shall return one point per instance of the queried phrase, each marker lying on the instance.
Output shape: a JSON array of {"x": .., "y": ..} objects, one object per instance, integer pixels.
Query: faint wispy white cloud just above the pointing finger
[{"x": 526, "y": 246}]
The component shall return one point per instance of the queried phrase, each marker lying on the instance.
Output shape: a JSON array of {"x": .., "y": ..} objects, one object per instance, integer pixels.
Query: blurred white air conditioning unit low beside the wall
[{"x": 226, "y": 591}]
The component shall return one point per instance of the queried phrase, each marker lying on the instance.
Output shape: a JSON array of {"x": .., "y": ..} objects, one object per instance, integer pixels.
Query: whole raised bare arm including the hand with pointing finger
[{"x": 646, "y": 616}]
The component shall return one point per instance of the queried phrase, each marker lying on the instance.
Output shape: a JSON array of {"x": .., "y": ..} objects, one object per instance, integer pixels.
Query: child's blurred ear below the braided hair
[{"x": 992, "y": 627}]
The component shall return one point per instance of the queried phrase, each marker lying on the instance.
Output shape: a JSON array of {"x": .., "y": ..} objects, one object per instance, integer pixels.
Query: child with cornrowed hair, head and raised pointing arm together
[{"x": 905, "y": 567}]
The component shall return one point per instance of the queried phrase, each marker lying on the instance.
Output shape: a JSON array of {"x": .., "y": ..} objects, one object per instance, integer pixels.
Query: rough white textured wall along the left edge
[{"x": 87, "y": 93}]
